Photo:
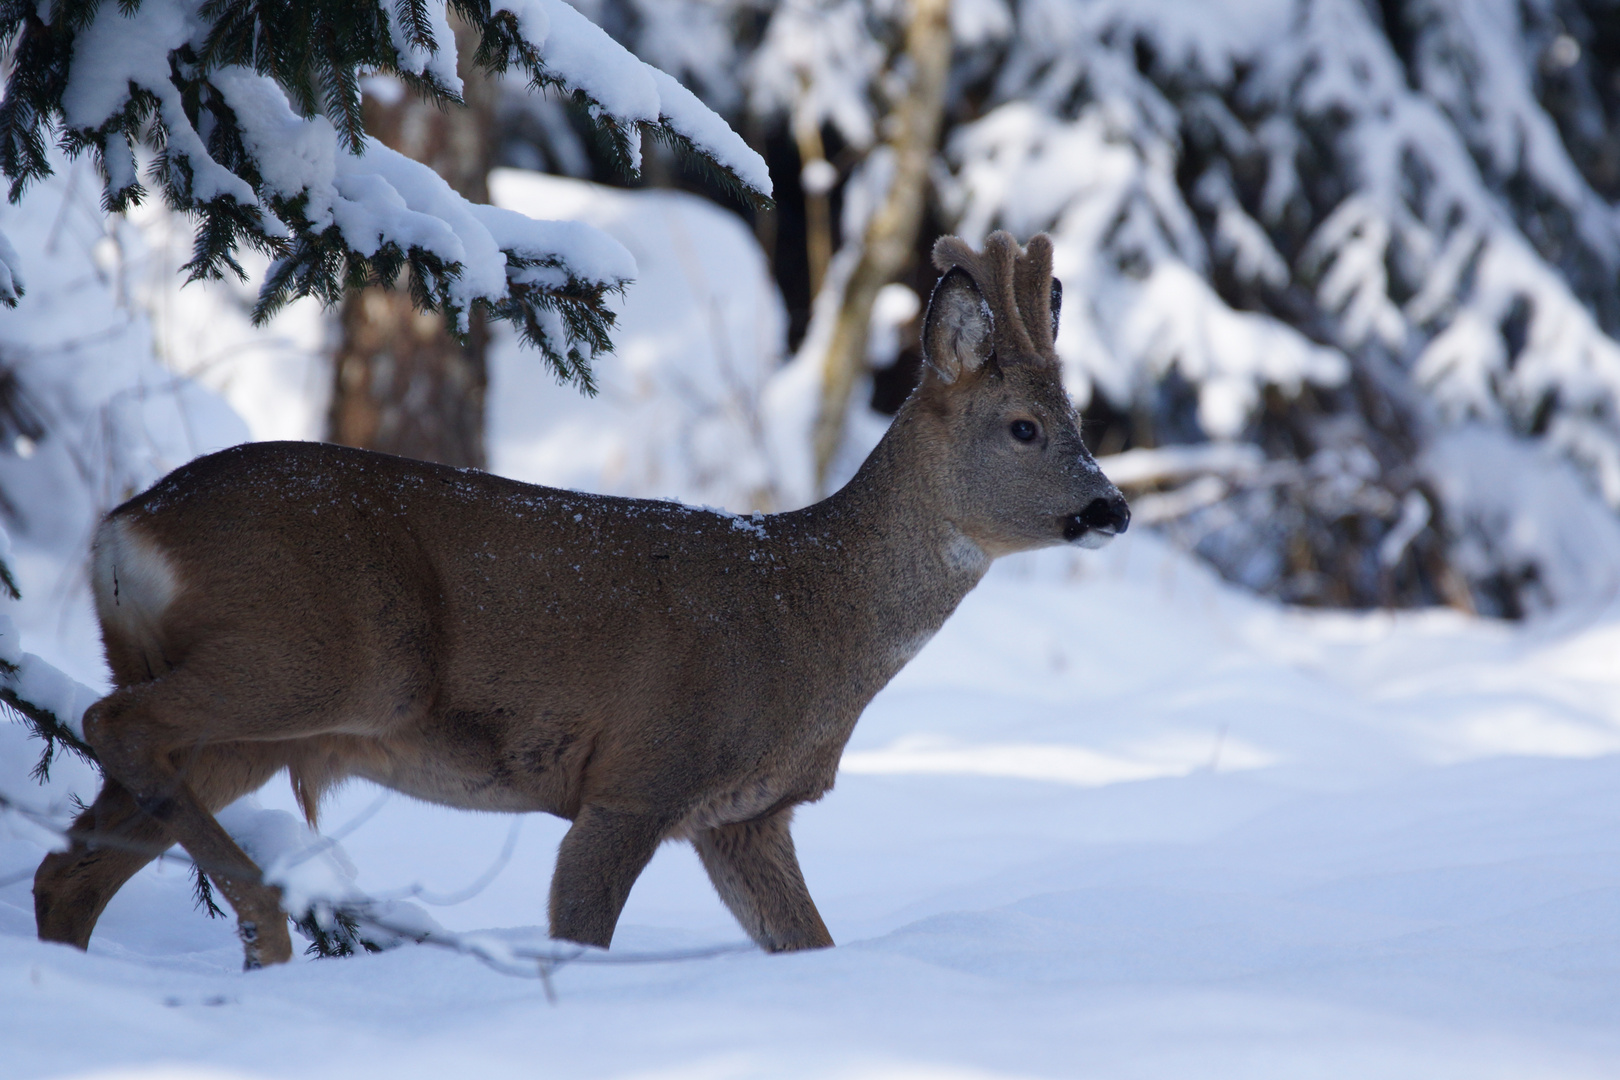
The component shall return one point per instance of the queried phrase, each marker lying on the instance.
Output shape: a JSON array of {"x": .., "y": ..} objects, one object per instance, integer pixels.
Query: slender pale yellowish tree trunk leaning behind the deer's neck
[{"x": 892, "y": 234}]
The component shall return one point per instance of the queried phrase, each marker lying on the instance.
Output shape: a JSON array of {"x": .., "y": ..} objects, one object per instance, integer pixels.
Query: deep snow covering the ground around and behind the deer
[{"x": 1117, "y": 820}]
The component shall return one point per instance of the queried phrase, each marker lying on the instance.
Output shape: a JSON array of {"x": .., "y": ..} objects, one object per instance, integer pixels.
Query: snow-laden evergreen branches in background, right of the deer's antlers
[{"x": 1256, "y": 200}]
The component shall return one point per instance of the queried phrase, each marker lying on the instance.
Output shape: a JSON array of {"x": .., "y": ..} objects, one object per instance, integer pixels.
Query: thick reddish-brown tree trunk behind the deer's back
[{"x": 403, "y": 383}]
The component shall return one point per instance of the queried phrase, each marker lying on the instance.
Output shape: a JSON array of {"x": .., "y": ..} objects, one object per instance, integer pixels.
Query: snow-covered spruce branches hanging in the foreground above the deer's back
[{"x": 252, "y": 114}]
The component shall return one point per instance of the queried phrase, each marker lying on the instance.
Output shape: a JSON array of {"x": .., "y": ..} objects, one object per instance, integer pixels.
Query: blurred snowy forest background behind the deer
[{"x": 1342, "y": 283}]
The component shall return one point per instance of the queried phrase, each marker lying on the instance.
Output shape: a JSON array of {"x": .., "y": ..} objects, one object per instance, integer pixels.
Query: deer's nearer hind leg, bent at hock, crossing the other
[{"x": 147, "y": 755}]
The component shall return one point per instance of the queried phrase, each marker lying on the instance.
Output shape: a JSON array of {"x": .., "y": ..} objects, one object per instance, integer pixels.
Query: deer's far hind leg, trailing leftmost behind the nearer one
[{"x": 113, "y": 840}]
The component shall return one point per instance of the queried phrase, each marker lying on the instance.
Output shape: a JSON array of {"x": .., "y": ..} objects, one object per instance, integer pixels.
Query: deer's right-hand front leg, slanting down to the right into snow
[{"x": 756, "y": 872}]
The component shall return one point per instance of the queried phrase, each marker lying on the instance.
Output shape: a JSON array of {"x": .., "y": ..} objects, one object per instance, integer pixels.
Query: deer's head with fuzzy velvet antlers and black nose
[{"x": 1017, "y": 470}]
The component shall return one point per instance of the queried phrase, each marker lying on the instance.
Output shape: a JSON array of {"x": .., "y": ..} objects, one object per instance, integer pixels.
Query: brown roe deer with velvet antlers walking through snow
[{"x": 646, "y": 670}]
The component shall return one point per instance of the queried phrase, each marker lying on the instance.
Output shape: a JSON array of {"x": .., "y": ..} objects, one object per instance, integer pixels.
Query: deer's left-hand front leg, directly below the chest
[{"x": 597, "y": 864}]
